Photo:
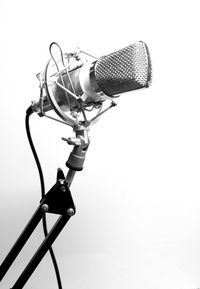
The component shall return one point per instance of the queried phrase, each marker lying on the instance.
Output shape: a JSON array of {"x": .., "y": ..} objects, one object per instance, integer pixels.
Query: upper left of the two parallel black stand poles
[{"x": 15, "y": 250}]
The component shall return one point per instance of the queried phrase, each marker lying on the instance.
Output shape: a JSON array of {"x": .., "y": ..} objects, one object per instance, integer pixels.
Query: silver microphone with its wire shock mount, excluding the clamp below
[{"x": 78, "y": 81}]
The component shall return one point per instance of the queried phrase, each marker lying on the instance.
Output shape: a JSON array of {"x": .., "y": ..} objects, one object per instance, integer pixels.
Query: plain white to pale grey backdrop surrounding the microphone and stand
[{"x": 138, "y": 202}]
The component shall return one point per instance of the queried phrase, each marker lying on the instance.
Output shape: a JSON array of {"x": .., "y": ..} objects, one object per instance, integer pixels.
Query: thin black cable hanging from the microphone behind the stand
[{"x": 28, "y": 114}]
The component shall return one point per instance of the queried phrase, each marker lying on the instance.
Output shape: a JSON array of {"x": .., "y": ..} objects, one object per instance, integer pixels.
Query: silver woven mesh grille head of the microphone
[{"x": 124, "y": 70}]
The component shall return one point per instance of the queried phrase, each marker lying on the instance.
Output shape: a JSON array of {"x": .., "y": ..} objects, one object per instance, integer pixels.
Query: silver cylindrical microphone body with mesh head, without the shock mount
[{"x": 107, "y": 77}]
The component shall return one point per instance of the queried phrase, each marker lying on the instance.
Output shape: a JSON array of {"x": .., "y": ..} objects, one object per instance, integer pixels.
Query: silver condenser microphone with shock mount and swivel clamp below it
[{"x": 79, "y": 88}]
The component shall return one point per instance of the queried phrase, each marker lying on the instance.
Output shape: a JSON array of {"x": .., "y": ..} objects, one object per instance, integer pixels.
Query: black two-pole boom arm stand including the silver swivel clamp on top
[{"x": 58, "y": 200}]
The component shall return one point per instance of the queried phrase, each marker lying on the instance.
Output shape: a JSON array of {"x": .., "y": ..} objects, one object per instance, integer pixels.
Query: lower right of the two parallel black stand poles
[{"x": 44, "y": 247}]
